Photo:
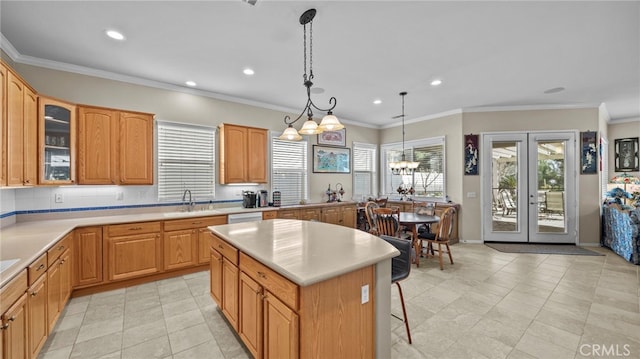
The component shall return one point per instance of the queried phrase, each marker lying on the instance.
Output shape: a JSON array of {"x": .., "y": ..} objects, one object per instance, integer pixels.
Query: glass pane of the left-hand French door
[{"x": 504, "y": 185}]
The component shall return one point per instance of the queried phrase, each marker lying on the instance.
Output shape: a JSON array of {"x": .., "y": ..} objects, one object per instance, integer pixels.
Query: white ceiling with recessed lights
[{"x": 489, "y": 55}]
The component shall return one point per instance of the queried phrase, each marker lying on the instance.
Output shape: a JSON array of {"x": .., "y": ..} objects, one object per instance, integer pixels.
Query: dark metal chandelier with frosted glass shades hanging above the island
[{"x": 310, "y": 127}]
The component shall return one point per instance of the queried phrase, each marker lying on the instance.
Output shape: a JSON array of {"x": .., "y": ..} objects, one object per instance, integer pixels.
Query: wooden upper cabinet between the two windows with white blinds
[{"x": 243, "y": 154}]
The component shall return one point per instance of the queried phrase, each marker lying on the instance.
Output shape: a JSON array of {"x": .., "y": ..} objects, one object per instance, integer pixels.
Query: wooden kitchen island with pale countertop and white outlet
[{"x": 303, "y": 289}]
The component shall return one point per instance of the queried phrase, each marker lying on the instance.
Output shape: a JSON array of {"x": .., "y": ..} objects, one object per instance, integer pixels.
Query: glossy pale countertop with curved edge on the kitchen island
[{"x": 306, "y": 252}]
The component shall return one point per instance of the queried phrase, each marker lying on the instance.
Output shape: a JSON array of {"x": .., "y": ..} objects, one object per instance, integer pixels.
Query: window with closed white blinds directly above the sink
[{"x": 186, "y": 160}]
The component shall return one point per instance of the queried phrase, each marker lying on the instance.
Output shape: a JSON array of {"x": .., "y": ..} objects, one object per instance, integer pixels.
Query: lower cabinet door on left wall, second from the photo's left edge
[{"x": 37, "y": 315}]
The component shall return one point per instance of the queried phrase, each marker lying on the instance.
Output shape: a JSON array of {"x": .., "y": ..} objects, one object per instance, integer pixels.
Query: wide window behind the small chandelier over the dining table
[{"x": 428, "y": 180}]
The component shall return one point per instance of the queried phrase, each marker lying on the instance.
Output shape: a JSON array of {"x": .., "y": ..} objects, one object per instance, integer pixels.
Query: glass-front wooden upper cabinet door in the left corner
[{"x": 57, "y": 141}]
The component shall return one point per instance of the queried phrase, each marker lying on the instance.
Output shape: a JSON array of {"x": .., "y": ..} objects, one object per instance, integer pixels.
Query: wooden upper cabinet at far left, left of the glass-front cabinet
[{"x": 19, "y": 131}]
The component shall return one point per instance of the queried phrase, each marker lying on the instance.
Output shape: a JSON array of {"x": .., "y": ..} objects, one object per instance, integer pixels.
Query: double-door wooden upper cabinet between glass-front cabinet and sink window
[{"x": 114, "y": 147}]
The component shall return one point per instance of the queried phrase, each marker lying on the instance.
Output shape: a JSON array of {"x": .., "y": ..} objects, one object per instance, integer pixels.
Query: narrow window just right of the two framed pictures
[{"x": 364, "y": 171}]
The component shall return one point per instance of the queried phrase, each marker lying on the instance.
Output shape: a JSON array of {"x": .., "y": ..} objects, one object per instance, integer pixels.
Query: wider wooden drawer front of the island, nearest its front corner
[{"x": 275, "y": 283}]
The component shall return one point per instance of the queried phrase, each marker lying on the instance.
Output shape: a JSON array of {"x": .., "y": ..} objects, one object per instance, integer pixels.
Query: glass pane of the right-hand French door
[{"x": 551, "y": 186}]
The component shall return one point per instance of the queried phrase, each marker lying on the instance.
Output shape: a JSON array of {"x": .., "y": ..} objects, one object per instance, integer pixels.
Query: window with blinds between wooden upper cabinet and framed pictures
[{"x": 289, "y": 170}]
